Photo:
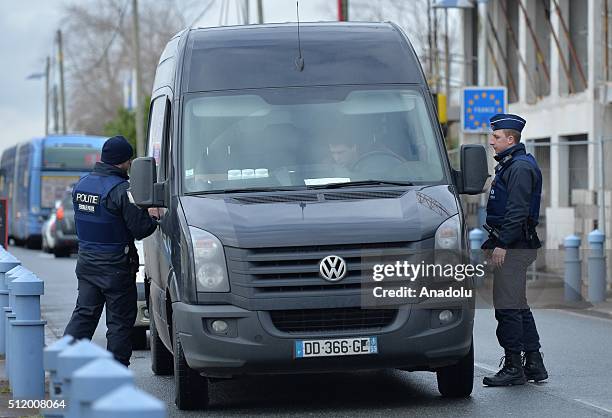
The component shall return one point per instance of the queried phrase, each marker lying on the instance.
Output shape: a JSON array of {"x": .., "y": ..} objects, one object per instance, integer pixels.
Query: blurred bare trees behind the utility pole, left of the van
[{"x": 99, "y": 53}]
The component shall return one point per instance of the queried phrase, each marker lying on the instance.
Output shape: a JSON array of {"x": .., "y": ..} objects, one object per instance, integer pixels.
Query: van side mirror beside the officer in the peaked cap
[{"x": 474, "y": 169}]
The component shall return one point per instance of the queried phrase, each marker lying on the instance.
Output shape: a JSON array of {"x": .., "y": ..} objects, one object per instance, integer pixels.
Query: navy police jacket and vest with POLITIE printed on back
[{"x": 107, "y": 222}]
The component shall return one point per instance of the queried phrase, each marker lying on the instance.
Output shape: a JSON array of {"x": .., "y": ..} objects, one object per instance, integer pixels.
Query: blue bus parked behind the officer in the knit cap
[{"x": 36, "y": 173}]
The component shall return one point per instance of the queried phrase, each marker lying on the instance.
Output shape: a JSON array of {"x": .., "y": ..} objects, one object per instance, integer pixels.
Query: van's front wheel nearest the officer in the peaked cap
[{"x": 457, "y": 381}]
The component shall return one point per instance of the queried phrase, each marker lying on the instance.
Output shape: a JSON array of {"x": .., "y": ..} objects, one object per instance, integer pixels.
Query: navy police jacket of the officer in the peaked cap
[{"x": 514, "y": 200}]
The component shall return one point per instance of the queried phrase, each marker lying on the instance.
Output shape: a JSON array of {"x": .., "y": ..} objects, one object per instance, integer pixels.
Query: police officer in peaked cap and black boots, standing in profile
[{"x": 512, "y": 215}]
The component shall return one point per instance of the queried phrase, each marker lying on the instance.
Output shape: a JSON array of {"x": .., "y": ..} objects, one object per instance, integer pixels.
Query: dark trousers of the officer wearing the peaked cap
[{"x": 516, "y": 328}]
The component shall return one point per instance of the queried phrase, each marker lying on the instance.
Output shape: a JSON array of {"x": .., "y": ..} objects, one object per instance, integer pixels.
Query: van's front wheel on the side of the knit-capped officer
[{"x": 191, "y": 389}]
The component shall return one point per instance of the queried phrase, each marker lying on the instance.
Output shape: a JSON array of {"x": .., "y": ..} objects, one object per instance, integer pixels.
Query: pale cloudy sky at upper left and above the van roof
[{"x": 28, "y": 29}]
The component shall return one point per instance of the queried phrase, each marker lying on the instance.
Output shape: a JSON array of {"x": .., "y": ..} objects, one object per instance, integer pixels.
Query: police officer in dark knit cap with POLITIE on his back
[{"x": 107, "y": 224}]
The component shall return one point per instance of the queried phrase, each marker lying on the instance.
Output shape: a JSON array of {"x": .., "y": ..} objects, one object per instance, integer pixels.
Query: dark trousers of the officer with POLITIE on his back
[{"x": 117, "y": 291}]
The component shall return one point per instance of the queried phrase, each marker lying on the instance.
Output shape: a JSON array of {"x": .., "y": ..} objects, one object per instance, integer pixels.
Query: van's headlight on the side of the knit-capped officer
[{"x": 209, "y": 259}]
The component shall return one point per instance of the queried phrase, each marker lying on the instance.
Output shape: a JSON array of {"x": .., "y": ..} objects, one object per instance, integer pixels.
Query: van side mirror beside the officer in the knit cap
[{"x": 145, "y": 191}]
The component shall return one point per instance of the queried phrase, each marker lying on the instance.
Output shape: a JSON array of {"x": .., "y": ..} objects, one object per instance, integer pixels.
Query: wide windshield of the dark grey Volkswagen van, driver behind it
[{"x": 306, "y": 136}]
